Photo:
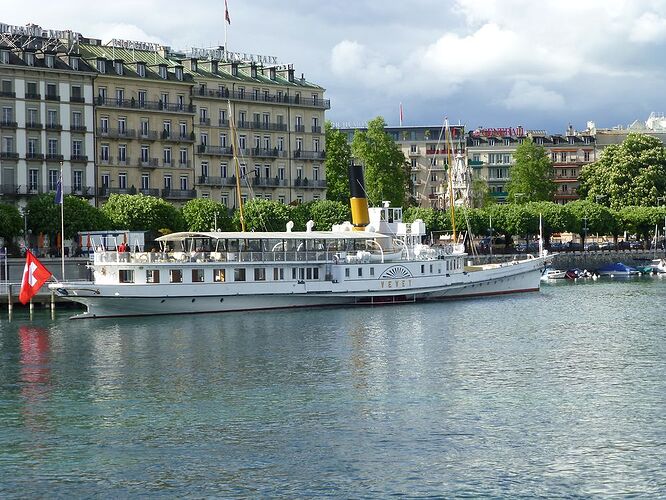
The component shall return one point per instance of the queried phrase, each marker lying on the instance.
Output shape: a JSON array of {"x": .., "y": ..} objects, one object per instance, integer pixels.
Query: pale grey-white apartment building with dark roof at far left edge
[{"x": 47, "y": 121}]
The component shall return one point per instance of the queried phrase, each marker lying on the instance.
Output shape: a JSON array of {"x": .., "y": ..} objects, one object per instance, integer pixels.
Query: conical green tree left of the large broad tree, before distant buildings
[{"x": 532, "y": 175}]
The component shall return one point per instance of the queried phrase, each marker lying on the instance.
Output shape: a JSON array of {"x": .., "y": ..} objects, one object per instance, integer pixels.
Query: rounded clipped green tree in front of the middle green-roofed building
[{"x": 142, "y": 213}]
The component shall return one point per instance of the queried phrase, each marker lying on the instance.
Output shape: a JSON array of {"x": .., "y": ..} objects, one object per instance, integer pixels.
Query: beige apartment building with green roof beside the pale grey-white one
[{"x": 144, "y": 121}]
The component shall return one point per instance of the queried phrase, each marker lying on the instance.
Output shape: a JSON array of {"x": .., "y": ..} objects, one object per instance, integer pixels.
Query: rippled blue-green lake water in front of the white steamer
[{"x": 557, "y": 393}]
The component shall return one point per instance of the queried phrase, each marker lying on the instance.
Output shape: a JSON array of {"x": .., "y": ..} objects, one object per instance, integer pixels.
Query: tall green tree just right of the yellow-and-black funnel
[{"x": 384, "y": 164}]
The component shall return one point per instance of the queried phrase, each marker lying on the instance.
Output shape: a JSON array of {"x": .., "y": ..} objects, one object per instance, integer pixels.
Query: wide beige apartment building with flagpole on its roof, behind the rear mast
[{"x": 263, "y": 116}]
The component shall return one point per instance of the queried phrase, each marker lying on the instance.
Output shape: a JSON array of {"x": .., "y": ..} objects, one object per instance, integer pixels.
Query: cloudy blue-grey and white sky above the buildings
[{"x": 492, "y": 63}]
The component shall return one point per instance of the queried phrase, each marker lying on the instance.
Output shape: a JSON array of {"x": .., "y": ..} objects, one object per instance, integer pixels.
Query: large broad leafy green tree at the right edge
[{"x": 629, "y": 174}]
